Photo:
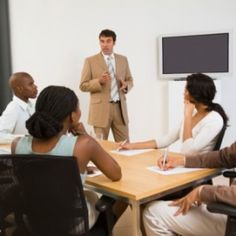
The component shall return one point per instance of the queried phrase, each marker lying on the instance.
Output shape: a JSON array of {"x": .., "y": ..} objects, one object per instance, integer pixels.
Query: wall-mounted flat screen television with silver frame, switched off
[{"x": 181, "y": 55}]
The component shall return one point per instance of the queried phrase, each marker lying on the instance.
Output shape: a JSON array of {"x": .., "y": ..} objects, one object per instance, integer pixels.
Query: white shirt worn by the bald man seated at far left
[{"x": 13, "y": 118}]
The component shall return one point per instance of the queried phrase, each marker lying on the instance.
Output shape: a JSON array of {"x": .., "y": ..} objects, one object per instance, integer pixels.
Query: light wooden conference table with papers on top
[{"x": 140, "y": 185}]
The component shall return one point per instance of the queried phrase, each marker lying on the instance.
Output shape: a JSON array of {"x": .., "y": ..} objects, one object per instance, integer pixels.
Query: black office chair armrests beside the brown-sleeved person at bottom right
[{"x": 222, "y": 208}]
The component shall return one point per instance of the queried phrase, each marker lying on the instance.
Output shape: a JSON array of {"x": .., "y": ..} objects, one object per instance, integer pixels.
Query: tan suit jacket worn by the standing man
[{"x": 92, "y": 71}]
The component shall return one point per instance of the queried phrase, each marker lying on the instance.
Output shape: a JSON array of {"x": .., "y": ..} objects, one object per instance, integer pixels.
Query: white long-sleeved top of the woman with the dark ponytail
[{"x": 204, "y": 136}]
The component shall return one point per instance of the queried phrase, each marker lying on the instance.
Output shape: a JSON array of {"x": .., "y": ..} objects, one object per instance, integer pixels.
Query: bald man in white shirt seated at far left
[{"x": 13, "y": 118}]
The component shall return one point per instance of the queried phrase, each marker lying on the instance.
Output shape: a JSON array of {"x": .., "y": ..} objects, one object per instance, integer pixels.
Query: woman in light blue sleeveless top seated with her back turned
[{"x": 57, "y": 114}]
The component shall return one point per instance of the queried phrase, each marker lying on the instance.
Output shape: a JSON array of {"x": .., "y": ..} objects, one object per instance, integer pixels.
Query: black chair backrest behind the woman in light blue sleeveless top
[{"x": 52, "y": 193}]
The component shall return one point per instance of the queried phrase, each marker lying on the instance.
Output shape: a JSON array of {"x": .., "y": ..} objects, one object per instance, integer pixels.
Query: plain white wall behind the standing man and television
[{"x": 51, "y": 38}]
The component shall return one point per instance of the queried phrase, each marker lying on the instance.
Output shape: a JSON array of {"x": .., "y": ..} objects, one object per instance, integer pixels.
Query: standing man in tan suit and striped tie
[{"x": 107, "y": 77}]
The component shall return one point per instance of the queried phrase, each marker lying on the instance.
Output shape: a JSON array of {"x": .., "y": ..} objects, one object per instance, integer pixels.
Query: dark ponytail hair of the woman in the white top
[{"x": 202, "y": 89}]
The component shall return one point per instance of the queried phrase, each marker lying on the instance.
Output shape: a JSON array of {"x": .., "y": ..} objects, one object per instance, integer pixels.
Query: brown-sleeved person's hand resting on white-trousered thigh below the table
[{"x": 185, "y": 203}]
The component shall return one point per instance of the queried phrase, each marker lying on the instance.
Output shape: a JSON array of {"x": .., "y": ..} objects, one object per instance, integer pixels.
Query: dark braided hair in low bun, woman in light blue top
[{"x": 53, "y": 105}]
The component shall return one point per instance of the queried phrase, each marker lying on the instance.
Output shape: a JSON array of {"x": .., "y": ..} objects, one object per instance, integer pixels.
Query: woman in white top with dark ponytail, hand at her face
[{"x": 203, "y": 120}]
